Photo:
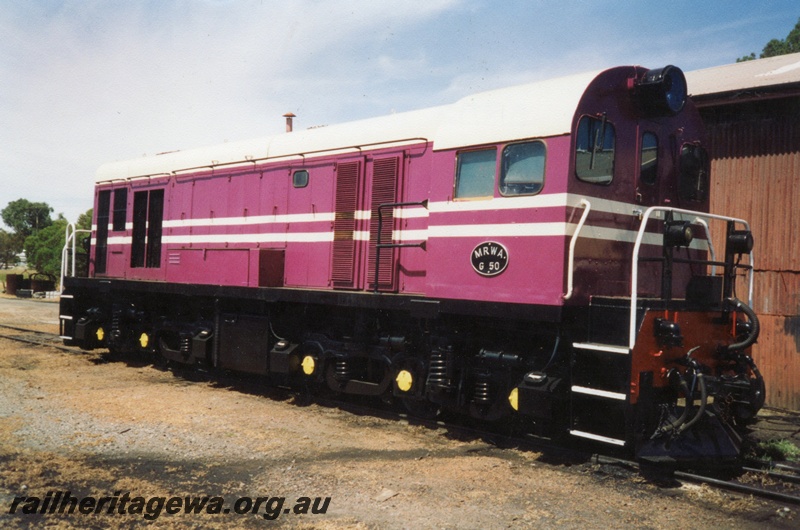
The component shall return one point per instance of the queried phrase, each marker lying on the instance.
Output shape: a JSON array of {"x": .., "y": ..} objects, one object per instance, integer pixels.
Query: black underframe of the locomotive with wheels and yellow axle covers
[{"x": 434, "y": 355}]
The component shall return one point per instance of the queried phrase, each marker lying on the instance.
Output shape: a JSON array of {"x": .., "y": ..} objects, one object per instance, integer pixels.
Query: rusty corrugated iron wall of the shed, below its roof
[{"x": 755, "y": 170}]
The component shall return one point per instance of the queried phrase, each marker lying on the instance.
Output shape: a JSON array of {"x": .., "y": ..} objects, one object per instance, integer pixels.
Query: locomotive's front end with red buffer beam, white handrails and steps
[{"x": 662, "y": 357}]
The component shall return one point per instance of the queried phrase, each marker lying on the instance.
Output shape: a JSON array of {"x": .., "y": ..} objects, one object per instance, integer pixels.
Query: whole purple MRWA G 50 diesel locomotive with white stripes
[{"x": 542, "y": 255}]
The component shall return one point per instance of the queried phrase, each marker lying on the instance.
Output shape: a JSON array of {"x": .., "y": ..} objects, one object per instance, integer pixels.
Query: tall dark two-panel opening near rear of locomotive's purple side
[{"x": 148, "y": 215}]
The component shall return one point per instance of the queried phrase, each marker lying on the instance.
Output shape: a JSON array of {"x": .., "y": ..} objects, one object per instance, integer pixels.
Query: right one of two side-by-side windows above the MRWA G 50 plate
[{"x": 522, "y": 170}]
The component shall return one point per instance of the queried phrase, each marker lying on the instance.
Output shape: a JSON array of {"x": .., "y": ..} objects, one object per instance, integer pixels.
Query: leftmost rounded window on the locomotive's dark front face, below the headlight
[{"x": 594, "y": 150}]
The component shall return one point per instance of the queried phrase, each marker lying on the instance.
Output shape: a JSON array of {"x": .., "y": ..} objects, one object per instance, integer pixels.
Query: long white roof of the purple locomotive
[{"x": 533, "y": 110}]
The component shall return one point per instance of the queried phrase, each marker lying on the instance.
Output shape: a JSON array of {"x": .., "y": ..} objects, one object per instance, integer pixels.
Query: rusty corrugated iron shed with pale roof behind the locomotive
[{"x": 752, "y": 113}]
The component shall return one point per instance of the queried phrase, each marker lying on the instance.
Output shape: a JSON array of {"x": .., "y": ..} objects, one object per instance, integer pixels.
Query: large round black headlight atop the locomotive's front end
[{"x": 662, "y": 91}]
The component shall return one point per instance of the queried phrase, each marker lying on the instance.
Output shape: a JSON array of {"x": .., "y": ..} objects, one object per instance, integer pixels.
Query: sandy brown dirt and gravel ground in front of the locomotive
[{"x": 99, "y": 427}]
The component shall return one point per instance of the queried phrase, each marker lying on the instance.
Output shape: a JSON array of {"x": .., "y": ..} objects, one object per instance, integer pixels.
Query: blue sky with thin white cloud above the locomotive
[{"x": 86, "y": 82}]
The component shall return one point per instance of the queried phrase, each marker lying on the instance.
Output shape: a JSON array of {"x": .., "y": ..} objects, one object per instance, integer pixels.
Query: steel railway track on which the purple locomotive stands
[{"x": 766, "y": 480}]
